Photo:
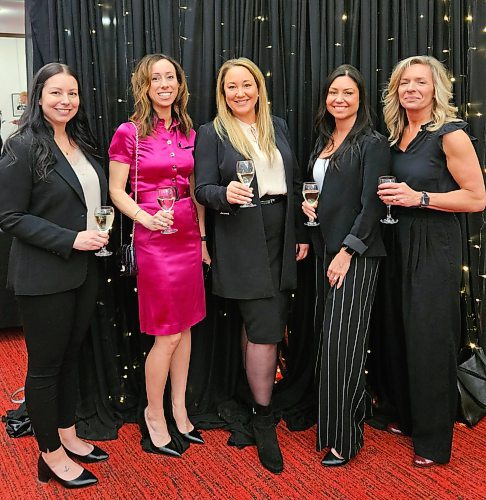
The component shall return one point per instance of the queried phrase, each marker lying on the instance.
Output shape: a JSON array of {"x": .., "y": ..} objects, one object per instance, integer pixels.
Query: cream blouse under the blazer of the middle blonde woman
[{"x": 270, "y": 176}]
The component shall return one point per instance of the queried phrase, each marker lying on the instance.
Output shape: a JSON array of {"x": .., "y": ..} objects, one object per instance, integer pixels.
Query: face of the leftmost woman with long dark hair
[{"x": 59, "y": 99}]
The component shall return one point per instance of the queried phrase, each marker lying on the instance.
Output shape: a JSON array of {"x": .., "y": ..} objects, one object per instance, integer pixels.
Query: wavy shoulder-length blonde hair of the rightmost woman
[{"x": 442, "y": 110}]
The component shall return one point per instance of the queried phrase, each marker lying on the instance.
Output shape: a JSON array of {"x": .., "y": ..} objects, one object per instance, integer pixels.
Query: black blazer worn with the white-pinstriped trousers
[{"x": 349, "y": 209}]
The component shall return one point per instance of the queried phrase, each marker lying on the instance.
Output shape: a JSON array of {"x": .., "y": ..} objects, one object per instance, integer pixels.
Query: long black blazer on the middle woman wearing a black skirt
[{"x": 239, "y": 257}]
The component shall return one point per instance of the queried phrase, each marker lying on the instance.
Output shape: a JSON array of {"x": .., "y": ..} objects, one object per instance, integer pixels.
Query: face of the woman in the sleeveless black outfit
[{"x": 416, "y": 88}]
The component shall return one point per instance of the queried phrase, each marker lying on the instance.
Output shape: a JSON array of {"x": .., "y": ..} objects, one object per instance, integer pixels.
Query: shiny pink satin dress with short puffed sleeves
[{"x": 170, "y": 279}]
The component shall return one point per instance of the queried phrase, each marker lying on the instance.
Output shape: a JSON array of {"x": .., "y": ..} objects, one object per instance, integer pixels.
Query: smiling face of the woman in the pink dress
[{"x": 164, "y": 86}]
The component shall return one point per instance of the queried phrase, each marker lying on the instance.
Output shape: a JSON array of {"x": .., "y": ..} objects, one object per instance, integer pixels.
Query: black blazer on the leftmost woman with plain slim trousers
[{"x": 44, "y": 216}]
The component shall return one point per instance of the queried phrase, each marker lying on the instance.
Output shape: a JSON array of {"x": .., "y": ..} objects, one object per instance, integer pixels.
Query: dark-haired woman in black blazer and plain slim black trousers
[{"x": 50, "y": 185}]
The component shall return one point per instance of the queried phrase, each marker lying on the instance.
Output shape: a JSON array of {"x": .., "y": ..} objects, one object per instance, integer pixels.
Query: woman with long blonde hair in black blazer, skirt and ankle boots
[{"x": 255, "y": 249}]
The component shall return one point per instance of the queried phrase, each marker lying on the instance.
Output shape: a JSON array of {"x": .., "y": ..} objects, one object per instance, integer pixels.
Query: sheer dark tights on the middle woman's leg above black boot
[{"x": 260, "y": 363}]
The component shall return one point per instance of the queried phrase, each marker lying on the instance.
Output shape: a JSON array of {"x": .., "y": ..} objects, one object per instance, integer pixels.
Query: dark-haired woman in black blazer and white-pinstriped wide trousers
[{"x": 347, "y": 160}]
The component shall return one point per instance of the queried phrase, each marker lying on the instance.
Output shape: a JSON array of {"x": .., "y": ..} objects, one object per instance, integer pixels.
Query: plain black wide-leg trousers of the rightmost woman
[{"x": 423, "y": 325}]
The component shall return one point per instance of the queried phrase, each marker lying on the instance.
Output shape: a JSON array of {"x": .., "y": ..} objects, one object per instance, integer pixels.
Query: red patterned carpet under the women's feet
[{"x": 382, "y": 470}]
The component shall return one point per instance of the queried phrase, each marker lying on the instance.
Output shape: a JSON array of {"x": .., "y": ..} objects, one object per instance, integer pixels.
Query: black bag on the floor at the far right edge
[{"x": 471, "y": 384}]
